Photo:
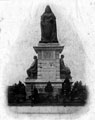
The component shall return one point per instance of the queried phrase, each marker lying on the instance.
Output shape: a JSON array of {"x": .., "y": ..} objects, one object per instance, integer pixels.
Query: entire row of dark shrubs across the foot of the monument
[{"x": 71, "y": 94}]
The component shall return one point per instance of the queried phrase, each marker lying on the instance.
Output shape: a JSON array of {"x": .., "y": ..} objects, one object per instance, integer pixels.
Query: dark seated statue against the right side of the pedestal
[{"x": 64, "y": 70}]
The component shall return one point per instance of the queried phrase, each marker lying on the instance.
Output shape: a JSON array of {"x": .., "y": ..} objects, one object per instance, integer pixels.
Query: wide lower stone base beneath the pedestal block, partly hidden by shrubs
[{"x": 40, "y": 85}]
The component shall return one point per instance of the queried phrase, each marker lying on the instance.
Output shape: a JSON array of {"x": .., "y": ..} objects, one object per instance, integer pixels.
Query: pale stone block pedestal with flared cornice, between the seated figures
[{"x": 48, "y": 61}]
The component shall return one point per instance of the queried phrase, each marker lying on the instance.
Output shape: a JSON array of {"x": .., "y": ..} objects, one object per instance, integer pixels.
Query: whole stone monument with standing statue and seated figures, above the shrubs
[{"x": 47, "y": 65}]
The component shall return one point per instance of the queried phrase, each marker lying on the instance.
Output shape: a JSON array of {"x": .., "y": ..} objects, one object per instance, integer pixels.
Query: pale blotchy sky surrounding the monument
[{"x": 20, "y": 31}]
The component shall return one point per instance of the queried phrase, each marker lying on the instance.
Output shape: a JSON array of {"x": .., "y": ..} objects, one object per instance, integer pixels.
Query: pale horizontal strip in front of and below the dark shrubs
[{"x": 52, "y": 110}]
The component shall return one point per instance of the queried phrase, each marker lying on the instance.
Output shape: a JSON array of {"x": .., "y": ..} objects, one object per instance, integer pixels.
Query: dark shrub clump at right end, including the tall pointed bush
[{"x": 76, "y": 93}]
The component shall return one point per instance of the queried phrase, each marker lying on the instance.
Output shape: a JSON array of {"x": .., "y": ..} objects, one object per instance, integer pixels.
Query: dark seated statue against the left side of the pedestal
[{"x": 32, "y": 71}]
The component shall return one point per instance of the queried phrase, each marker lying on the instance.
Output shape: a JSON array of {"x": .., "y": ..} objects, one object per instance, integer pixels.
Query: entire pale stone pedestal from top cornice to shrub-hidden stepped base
[{"x": 48, "y": 67}]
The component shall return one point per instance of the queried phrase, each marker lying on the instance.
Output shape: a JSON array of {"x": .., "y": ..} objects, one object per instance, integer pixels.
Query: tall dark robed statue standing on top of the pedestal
[{"x": 48, "y": 27}]
